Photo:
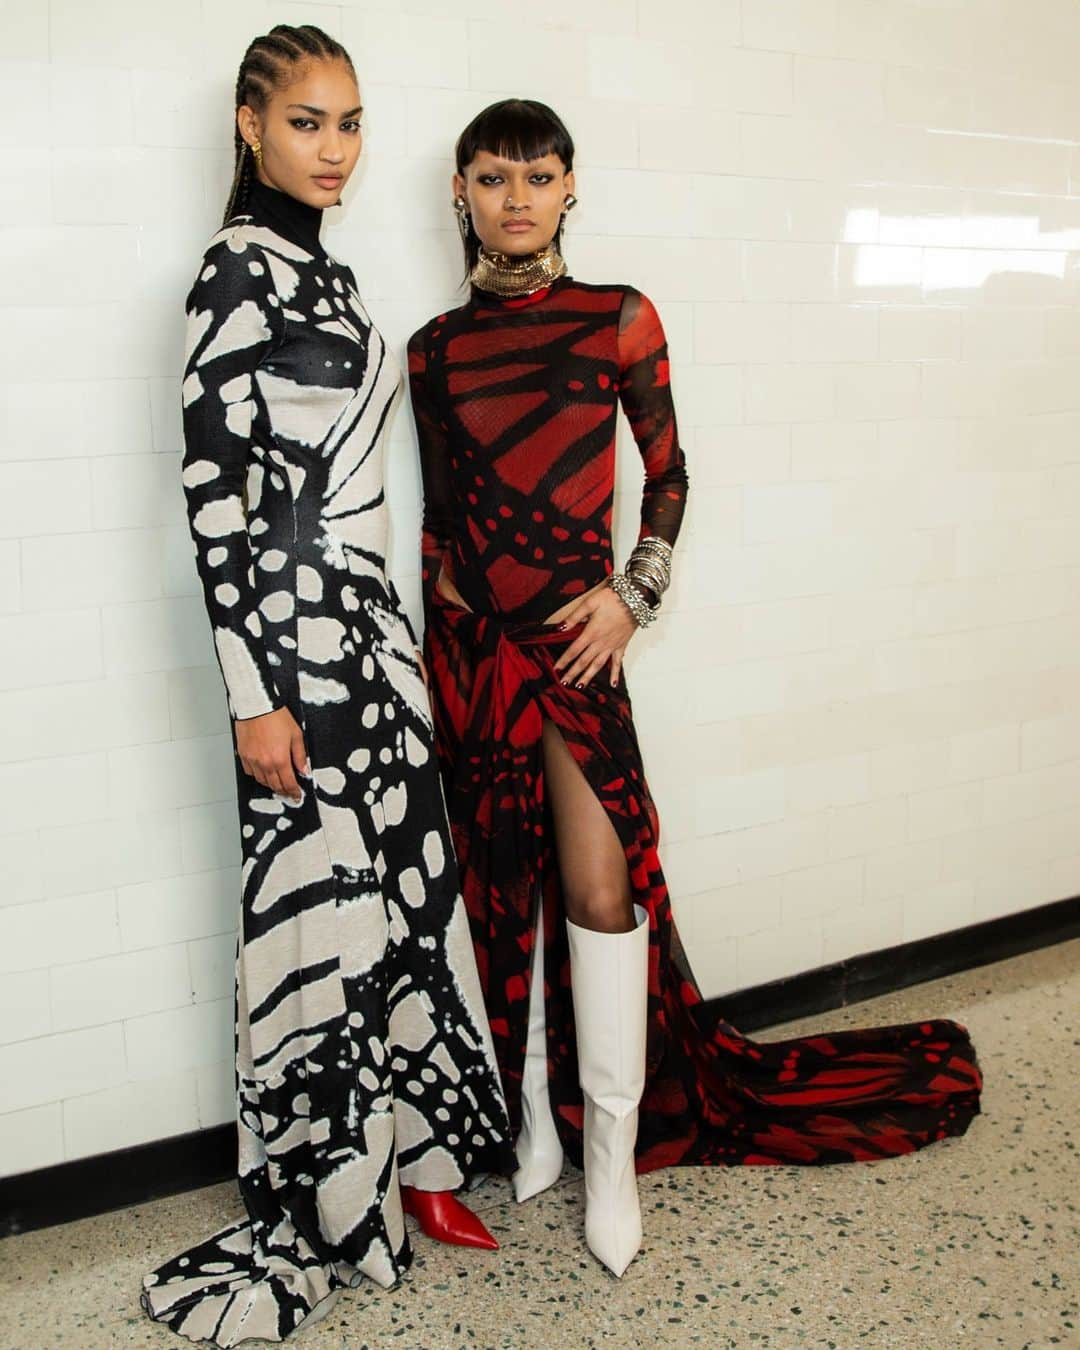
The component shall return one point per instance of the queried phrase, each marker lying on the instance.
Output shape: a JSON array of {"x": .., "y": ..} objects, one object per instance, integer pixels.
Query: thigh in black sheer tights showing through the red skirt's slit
[{"x": 592, "y": 863}]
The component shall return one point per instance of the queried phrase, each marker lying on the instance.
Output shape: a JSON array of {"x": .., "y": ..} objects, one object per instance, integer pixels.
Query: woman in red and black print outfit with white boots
[{"x": 605, "y": 1047}]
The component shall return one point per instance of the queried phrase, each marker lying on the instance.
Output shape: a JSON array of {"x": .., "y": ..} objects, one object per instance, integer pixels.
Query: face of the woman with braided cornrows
[{"x": 310, "y": 133}]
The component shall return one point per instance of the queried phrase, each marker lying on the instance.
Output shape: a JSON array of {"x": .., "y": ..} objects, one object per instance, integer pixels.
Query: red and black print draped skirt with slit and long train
[{"x": 712, "y": 1096}]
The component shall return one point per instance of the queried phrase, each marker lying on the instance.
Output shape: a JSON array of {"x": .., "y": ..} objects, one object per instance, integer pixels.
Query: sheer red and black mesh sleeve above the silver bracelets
[{"x": 645, "y": 389}]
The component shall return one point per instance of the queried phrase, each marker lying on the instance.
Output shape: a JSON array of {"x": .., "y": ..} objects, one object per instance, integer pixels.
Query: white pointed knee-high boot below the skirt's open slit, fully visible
[{"x": 610, "y": 979}]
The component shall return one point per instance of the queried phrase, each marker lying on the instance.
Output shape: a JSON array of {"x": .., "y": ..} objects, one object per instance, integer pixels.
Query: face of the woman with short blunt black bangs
[{"x": 516, "y": 206}]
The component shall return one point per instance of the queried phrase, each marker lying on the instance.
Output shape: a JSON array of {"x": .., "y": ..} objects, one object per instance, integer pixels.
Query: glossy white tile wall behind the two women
[{"x": 862, "y": 226}]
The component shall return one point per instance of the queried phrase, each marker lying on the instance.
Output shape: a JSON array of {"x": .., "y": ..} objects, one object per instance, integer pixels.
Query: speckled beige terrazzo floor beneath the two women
[{"x": 974, "y": 1243}]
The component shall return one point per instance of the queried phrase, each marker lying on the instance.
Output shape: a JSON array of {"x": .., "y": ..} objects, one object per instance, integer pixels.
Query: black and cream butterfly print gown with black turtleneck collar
[{"x": 364, "y": 1055}]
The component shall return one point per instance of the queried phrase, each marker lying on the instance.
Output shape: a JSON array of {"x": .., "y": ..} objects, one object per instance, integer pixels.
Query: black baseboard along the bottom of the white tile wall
[{"x": 167, "y": 1167}]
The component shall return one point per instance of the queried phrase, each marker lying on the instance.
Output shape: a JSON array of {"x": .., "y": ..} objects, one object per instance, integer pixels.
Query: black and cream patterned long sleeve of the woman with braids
[{"x": 234, "y": 323}]
